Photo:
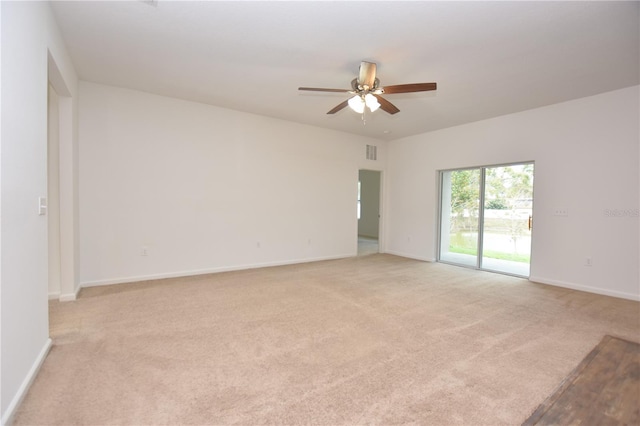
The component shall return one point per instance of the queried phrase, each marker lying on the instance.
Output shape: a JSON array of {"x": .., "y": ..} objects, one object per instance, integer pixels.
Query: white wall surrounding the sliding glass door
[{"x": 586, "y": 161}]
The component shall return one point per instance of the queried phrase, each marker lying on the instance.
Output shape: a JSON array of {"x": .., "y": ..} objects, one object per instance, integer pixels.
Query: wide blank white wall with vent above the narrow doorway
[{"x": 207, "y": 189}]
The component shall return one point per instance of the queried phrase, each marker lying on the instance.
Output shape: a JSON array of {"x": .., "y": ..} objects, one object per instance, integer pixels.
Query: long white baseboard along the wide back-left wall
[{"x": 179, "y": 274}]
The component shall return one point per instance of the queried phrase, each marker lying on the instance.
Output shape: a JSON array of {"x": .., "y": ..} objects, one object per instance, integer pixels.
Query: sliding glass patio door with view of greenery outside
[{"x": 486, "y": 218}]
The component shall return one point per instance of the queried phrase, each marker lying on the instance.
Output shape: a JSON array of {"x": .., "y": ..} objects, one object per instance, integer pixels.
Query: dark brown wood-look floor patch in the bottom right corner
[{"x": 603, "y": 390}]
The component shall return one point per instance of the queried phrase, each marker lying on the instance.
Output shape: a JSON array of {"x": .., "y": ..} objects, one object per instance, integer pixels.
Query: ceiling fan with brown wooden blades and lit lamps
[{"x": 367, "y": 91}]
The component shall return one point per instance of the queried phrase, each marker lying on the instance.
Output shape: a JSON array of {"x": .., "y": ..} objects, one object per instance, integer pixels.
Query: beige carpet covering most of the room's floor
[{"x": 367, "y": 340}]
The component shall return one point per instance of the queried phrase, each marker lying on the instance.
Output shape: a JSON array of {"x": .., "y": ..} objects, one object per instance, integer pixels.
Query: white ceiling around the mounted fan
[{"x": 488, "y": 58}]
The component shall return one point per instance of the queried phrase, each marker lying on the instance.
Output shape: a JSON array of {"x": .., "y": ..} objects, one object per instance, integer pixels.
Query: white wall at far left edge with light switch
[{"x": 29, "y": 34}]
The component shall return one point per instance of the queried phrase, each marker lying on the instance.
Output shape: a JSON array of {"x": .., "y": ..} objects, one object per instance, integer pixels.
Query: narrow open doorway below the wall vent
[{"x": 368, "y": 212}]
